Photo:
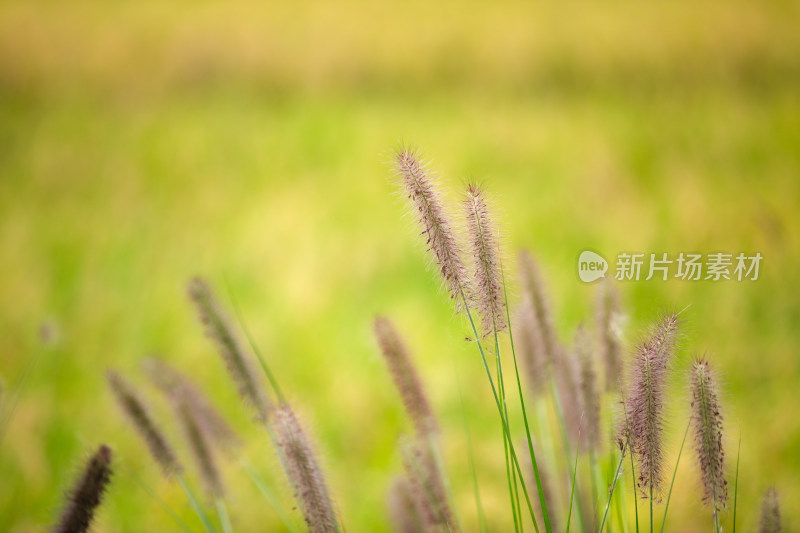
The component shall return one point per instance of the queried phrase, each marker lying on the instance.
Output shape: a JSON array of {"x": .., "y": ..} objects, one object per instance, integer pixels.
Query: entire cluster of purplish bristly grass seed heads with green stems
[{"x": 570, "y": 465}]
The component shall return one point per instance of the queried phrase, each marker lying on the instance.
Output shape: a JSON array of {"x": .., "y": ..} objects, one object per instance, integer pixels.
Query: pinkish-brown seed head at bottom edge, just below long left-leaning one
[{"x": 304, "y": 472}]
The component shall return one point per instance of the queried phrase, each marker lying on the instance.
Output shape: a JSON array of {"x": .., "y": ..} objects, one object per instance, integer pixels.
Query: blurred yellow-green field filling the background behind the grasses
[{"x": 142, "y": 143}]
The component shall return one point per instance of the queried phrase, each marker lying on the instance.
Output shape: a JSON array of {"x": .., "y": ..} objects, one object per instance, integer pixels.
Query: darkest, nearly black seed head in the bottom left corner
[{"x": 87, "y": 494}]
